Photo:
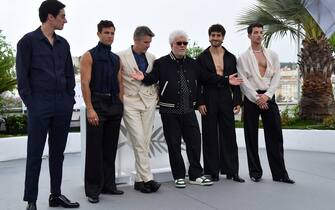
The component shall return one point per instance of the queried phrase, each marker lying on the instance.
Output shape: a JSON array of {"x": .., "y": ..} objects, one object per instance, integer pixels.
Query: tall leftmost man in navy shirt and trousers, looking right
[{"x": 46, "y": 84}]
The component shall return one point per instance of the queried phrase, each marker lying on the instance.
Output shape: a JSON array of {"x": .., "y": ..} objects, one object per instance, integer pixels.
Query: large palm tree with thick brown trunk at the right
[{"x": 316, "y": 62}]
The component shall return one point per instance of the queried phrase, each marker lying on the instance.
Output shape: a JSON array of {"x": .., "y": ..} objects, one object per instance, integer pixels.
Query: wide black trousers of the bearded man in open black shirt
[{"x": 220, "y": 152}]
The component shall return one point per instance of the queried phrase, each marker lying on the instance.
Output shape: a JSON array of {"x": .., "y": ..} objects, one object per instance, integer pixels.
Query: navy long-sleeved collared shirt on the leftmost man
[{"x": 42, "y": 67}]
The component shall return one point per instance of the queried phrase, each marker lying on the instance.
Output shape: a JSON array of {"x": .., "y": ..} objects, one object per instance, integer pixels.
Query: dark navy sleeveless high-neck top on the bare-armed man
[{"x": 105, "y": 68}]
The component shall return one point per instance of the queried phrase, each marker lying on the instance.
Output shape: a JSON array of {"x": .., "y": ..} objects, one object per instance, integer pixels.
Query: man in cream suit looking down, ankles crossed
[{"x": 139, "y": 106}]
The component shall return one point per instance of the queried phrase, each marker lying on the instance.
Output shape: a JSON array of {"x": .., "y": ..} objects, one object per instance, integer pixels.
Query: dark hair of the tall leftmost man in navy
[{"x": 49, "y": 7}]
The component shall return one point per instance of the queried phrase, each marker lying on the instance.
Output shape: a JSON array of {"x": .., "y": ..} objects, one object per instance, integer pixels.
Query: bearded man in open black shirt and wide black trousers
[{"x": 217, "y": 106}]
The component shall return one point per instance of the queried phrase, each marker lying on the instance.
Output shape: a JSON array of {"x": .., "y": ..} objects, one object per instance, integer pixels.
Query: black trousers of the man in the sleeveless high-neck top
[{"x": 101, "y": 145}]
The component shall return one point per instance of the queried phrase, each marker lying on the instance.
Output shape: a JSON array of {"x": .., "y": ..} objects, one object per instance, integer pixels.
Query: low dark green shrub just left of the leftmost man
[{"x": 16, "y": 124}]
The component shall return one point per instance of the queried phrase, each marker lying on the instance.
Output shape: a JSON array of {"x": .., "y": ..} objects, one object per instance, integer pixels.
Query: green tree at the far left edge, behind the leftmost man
[{"x": 7, "y": 60}]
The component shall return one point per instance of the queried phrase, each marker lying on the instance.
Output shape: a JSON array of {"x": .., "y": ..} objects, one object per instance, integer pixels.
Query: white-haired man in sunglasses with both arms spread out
[{"x": 178, "y": 77}]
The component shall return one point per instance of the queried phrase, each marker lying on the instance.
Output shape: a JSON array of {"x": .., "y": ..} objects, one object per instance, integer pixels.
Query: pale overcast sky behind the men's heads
[{"x": 18, "y": 17}]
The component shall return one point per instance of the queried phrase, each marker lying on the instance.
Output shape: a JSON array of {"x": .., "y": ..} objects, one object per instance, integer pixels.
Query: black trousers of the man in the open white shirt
[{"x": 273, "y": 138}]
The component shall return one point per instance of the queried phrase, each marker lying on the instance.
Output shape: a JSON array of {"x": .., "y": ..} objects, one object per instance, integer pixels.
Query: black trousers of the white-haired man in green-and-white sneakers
[{"x": 175, "y": 127}]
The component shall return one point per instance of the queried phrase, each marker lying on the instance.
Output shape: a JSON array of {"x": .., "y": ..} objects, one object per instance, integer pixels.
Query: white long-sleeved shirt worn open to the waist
[{"x": 248, "y": 70}]
